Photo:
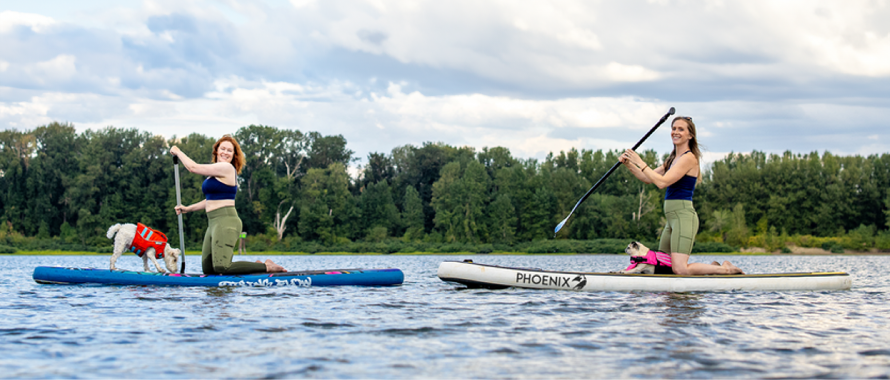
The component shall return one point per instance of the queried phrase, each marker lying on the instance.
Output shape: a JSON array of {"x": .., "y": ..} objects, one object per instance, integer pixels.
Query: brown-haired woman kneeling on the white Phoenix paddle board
[{"x": 679, "y": 175}]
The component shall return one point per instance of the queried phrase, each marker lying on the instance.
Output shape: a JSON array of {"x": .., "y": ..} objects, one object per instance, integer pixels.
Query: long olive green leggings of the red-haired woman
[{"x": 219, "y": 244}]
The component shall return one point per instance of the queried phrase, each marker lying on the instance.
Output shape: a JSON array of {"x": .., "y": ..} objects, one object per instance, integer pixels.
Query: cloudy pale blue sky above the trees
[{"x": 533, "y": 76}]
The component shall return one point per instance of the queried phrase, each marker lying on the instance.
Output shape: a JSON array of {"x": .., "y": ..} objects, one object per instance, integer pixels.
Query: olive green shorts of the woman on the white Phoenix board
[{"x": 679, "y": 232}]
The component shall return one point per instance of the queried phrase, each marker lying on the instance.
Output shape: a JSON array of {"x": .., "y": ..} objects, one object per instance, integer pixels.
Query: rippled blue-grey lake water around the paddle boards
[{"x": 428, "y": 328}]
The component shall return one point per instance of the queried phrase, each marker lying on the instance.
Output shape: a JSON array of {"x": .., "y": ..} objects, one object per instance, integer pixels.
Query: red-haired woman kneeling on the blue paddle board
[{"x": 224, "y": 226}]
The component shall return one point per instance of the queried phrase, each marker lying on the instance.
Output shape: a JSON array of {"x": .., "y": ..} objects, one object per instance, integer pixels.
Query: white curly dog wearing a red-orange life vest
[{"x": 145, "y": 243}]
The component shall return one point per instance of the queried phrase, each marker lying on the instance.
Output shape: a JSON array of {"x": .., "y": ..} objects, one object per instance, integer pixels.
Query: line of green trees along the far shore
[{"x": 61, "y": 187}]
